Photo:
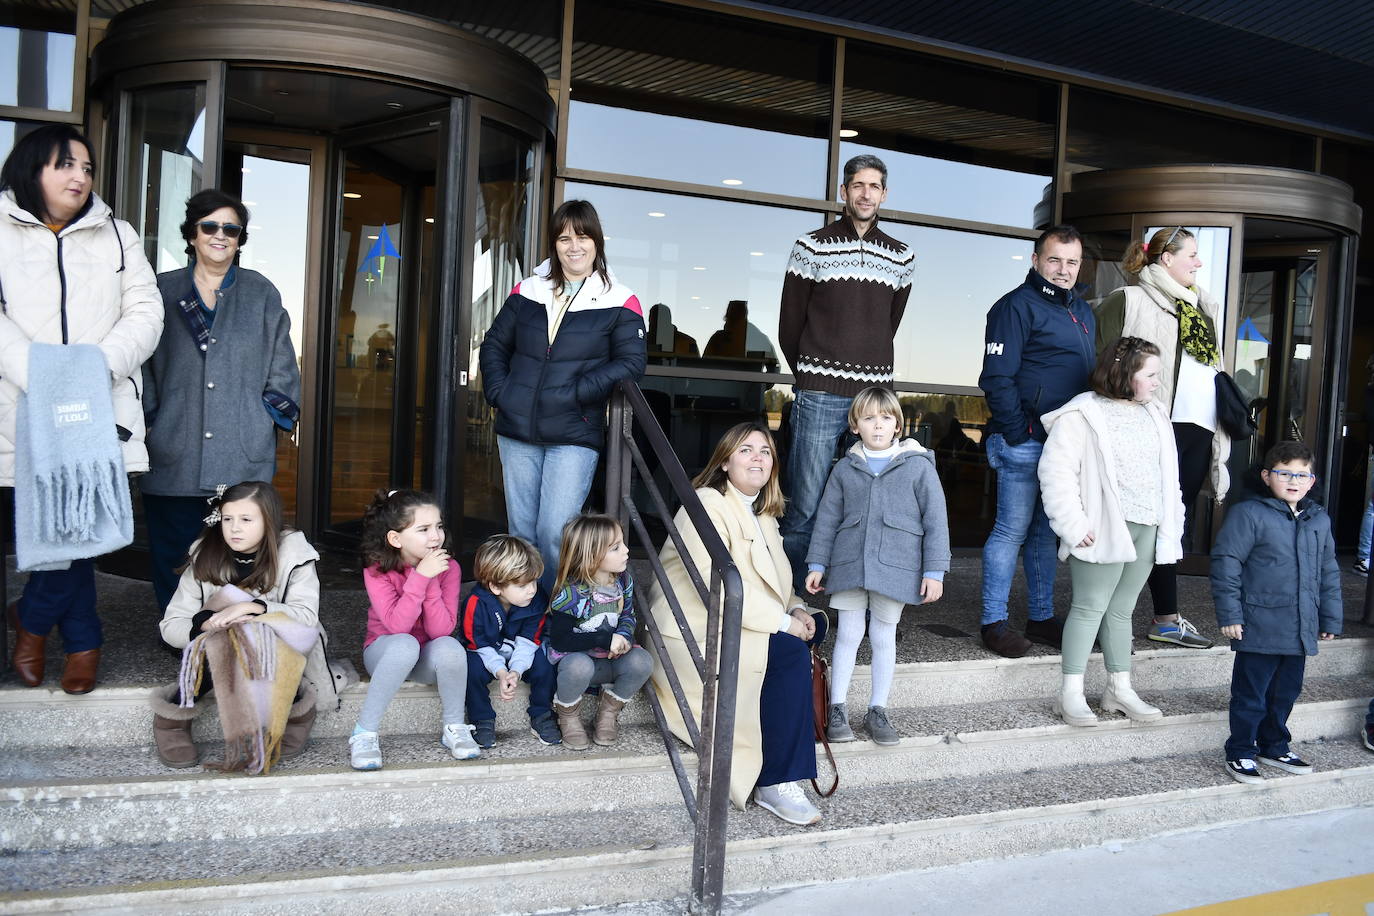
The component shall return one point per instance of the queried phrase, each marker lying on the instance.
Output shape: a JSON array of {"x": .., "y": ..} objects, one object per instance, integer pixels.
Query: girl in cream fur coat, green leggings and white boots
[{"x": 1110, "y": 479}]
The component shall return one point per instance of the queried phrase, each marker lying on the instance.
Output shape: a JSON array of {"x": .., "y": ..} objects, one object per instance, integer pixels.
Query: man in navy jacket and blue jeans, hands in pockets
[{"x": 1039, "y": 352}]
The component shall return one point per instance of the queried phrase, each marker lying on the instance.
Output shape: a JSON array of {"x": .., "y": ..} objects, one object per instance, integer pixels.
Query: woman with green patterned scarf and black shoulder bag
[{"x": 1171, "y": 311}]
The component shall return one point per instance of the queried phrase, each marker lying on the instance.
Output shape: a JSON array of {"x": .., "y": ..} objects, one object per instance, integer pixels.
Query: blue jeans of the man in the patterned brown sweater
[{"x": 818, "y": 421}]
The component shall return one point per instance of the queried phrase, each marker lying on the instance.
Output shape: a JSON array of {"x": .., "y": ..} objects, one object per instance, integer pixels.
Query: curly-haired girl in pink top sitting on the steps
[{"x": 413, "y": 587}]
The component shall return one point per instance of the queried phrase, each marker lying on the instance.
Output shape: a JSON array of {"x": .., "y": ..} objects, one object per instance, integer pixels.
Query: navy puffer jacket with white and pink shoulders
[{"x": 556, "y": 395}]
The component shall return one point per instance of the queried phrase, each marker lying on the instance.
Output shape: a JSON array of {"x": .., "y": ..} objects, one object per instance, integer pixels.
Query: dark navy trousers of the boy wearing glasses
[{"x": 1263, "y": 691}]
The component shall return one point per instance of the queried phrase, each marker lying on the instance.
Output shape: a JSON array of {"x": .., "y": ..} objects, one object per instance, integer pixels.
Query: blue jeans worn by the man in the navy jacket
[{"x": 1022, "y": 520}]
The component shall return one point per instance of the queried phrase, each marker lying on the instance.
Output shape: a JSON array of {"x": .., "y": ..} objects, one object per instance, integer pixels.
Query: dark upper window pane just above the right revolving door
[{"x": 1115, "y": 133}]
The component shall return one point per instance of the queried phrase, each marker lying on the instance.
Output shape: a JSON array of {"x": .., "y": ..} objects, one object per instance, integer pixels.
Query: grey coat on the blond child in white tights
[{"x": 883, "y": 532}]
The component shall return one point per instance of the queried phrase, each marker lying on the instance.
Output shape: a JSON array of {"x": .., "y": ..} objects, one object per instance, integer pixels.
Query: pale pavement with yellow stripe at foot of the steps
[{"x": 1248, "y": 865}]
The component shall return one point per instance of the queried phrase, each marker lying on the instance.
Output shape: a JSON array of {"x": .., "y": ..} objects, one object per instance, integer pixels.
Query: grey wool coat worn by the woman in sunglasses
[{"x": 208, "y": 421}]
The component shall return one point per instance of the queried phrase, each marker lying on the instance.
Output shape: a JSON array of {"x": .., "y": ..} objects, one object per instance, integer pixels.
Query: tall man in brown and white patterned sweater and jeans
[{"x": 843, "y": 299}]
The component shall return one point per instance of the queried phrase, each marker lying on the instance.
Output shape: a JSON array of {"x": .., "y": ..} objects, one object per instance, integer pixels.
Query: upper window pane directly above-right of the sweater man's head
[{"x": 958, "y": 141}]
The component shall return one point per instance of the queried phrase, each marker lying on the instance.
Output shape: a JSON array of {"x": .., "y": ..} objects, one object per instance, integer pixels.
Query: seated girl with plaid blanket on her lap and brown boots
[{"x": 248, "y": 602}]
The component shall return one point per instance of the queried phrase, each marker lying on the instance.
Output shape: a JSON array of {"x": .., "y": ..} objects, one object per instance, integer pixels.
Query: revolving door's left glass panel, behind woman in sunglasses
[{"x": 166, "y": 149}]
